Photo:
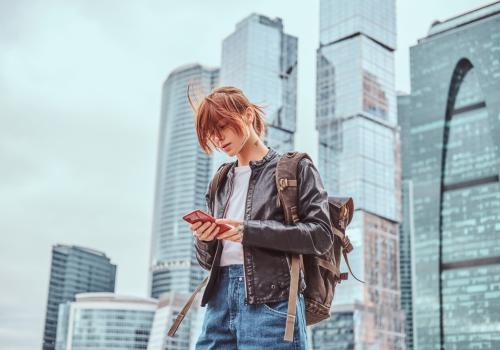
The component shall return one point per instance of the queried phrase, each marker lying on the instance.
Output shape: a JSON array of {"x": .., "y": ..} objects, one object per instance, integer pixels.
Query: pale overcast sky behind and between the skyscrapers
[{"x": 80, "y": 85}]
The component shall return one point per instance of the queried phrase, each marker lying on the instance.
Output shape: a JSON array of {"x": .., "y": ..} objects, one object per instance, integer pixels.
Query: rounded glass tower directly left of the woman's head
[{"x": 182, "y": 176}]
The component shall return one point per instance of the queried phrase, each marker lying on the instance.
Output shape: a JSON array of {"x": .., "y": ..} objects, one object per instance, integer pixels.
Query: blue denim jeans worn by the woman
[{"x": 229, "y": 323}]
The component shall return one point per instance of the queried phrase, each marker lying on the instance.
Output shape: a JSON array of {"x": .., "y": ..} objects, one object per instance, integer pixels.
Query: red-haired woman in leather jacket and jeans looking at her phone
[{"x": 247, "y": 292}]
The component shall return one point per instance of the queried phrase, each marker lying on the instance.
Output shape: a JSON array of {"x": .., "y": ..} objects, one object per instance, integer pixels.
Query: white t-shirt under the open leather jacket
[{"x": 232, "y": 252}]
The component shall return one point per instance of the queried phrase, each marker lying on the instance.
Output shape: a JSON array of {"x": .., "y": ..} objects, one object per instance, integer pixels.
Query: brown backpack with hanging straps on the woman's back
[{"x": 321, "y": 273}]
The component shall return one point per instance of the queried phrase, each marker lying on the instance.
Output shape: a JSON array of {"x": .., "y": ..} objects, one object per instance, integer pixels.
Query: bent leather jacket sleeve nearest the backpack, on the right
[{"x": 312, "y": 234}]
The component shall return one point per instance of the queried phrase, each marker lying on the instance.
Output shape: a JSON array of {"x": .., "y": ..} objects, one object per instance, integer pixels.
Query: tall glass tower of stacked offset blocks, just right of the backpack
[{"x": 358, "y": 156}]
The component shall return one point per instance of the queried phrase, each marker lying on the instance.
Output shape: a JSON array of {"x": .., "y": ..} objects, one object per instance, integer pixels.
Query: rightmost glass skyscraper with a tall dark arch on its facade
[{"x": 453, "y": 158}]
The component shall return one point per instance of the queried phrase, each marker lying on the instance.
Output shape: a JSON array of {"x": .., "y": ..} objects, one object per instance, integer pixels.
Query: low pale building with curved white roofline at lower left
[{"x": 105, "y": 321}]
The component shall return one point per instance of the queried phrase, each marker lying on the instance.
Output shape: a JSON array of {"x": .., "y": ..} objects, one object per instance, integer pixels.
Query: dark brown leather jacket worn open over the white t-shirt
[{"x": 266, "y": 240}]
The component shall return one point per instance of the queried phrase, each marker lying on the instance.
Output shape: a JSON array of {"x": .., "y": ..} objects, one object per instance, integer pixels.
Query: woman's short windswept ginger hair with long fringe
[{"x": 225, "y": 104}]
